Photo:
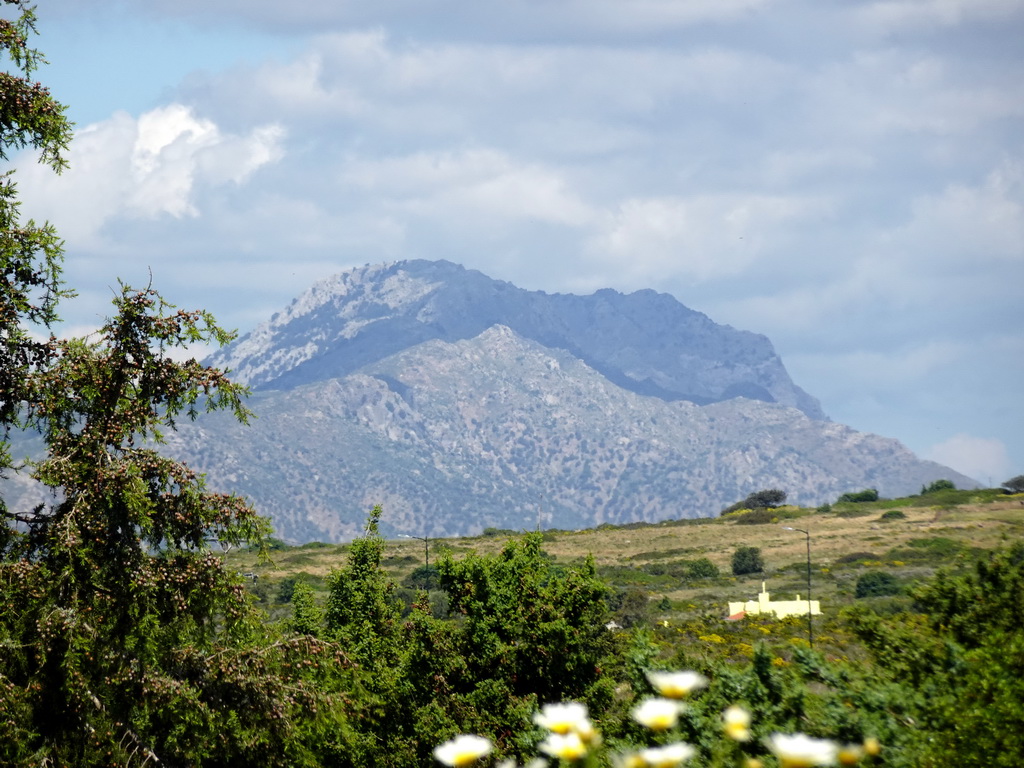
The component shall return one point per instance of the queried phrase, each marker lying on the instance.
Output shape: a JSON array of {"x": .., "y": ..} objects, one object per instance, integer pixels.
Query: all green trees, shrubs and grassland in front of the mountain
[{"x": 142, "y": 621}]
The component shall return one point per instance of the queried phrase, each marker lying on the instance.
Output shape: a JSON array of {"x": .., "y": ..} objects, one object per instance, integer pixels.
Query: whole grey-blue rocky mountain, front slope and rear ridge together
[{"x": 460, "y": 403}]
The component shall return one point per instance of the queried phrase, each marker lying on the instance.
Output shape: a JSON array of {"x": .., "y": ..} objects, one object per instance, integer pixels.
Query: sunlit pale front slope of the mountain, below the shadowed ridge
[{"x": 497, "y": 431}]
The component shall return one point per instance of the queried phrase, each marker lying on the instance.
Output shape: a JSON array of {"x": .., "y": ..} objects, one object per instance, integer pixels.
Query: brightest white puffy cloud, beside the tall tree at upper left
[{"x": 144, "y": 168}]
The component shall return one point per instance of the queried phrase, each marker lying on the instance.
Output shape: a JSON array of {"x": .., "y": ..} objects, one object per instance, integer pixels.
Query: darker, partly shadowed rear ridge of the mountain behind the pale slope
[{"x": 645, "y": 343}]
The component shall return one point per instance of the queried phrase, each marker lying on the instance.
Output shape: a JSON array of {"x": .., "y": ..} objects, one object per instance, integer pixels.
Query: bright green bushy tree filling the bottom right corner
[{"x": 956, "y": 669}]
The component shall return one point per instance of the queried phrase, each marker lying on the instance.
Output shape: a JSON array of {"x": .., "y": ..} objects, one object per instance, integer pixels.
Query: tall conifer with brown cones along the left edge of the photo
[{"x": 124, "y": 637}]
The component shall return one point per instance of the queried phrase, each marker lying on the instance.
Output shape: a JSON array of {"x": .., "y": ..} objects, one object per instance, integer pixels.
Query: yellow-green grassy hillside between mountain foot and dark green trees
[{"x": 909, "y": 539}]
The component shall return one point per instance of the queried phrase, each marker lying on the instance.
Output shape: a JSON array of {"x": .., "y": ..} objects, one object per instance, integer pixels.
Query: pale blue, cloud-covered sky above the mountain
[{"x": 844, "y": 178}]
